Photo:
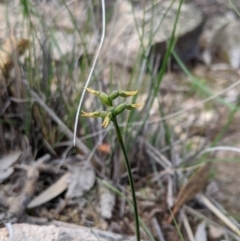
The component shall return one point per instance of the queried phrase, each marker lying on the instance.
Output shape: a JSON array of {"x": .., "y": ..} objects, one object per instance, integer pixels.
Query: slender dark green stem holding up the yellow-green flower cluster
[{"x": 120, "y": 140}]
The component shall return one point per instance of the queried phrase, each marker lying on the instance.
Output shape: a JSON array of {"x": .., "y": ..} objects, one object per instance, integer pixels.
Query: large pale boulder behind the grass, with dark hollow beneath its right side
[{"x": 125, "y": 41}]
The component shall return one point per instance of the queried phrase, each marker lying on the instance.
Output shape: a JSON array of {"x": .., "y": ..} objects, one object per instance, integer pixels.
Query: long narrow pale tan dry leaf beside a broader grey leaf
[{"x": 53, "y": 191}]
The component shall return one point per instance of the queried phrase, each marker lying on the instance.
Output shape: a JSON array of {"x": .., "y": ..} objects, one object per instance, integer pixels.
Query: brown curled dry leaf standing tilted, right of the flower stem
[{"x": 195, "y": 184}]
